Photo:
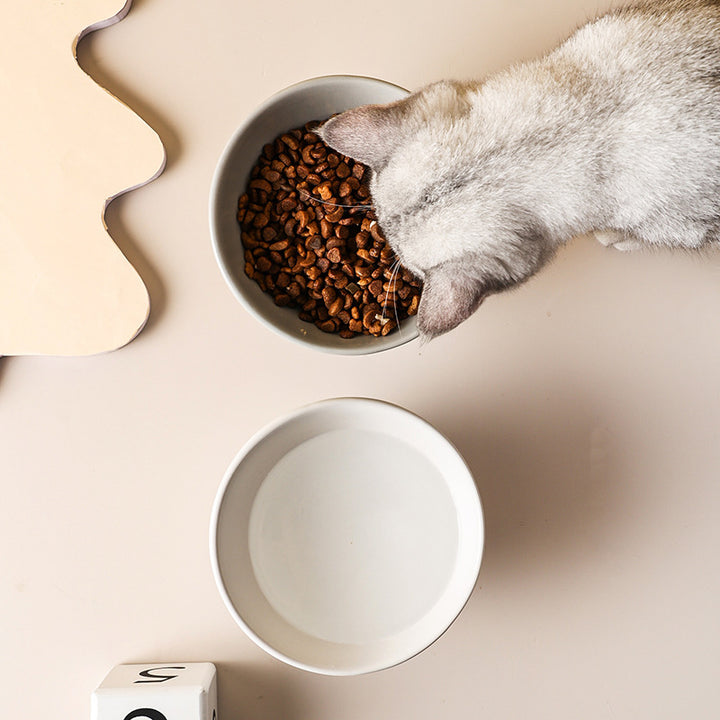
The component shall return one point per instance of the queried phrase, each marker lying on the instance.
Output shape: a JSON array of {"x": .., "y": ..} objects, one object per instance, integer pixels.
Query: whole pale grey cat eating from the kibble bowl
[{"x": 616, "y": 132}]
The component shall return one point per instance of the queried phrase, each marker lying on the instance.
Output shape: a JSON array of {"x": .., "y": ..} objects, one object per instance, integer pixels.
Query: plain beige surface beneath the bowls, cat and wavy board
[{"x": 587, "y": 404}]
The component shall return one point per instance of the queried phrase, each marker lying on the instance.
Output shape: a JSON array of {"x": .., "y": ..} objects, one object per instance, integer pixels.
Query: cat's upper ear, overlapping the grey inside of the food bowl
[{"x": 368, "y": 133}]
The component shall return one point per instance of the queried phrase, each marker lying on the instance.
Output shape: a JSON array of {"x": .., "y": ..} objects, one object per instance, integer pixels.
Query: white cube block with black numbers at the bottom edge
[{"x": 171, "y": 691}]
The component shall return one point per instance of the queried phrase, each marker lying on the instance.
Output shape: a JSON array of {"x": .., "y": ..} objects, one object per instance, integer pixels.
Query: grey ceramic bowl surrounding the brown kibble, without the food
[{"x": 314, "y": 99}]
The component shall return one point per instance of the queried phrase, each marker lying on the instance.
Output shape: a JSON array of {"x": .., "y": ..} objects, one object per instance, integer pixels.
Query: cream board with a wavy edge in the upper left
[{"x": 66, "y": 148}]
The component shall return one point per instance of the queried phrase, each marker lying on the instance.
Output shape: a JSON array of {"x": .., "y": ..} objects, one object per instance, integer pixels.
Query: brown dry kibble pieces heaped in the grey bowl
[{"x": 312, "y": 241}]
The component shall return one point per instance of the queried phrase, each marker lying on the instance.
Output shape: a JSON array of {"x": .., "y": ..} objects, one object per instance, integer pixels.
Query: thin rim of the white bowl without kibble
[{"x": 471, "y": 574}]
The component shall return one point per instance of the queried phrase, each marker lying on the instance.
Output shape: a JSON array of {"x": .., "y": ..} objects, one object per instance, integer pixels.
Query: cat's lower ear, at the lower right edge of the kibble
[{"x": 451, "y": 293}]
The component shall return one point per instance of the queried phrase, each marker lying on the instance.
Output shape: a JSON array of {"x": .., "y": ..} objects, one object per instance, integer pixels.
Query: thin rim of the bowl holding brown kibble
[{"x": 400, "y": 336}]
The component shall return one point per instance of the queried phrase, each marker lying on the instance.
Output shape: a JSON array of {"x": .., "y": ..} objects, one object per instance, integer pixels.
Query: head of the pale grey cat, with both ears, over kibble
[{"x": 446, "y": 198}]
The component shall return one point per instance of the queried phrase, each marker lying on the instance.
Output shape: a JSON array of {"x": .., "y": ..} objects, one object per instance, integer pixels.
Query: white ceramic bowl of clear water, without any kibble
[{"x": 346, "y": 537}]
